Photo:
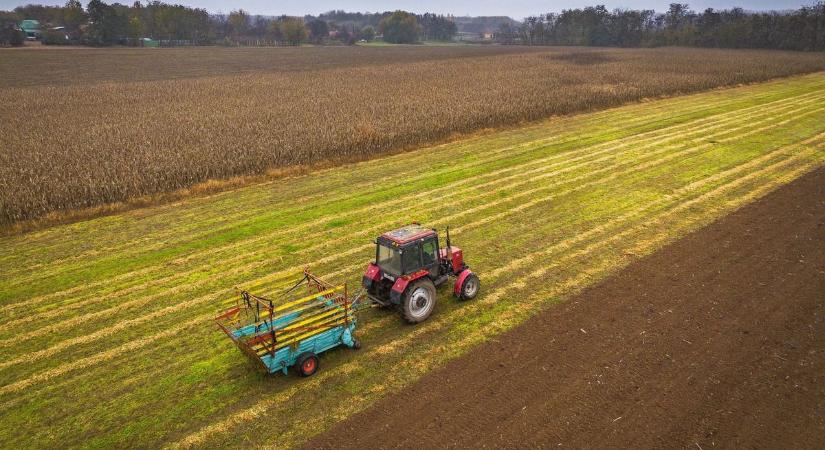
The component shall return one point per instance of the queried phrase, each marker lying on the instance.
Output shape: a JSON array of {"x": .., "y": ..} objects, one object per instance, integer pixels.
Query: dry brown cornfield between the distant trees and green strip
[{"x": 75, "y": 133}]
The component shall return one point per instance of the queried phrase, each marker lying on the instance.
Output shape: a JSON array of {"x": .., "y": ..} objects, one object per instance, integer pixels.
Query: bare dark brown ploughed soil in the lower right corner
[{"x": 715, "y": 341}]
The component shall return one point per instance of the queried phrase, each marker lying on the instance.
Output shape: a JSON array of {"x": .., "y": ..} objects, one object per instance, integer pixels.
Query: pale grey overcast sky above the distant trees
[{"x": 516, "y": 9}]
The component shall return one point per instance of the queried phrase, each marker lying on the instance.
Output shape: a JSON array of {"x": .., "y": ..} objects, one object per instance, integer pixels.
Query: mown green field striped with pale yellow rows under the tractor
[{"x": 107, "y": 338}]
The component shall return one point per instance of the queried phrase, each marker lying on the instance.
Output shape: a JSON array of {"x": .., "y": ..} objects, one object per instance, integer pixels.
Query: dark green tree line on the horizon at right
[{"x": 801, "y": 29}]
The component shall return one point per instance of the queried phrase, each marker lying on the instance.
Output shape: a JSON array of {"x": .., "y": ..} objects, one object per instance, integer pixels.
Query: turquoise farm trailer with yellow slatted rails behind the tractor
[{"x": 294, "y": 326}]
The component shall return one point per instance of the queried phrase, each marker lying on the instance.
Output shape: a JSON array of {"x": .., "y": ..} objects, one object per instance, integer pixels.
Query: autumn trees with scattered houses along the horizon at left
[{"x": 107, "y": 24}]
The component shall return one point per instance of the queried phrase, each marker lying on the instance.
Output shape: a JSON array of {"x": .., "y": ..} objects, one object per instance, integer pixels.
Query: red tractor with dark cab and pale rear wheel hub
[{"x": 409, "y": 265}]
